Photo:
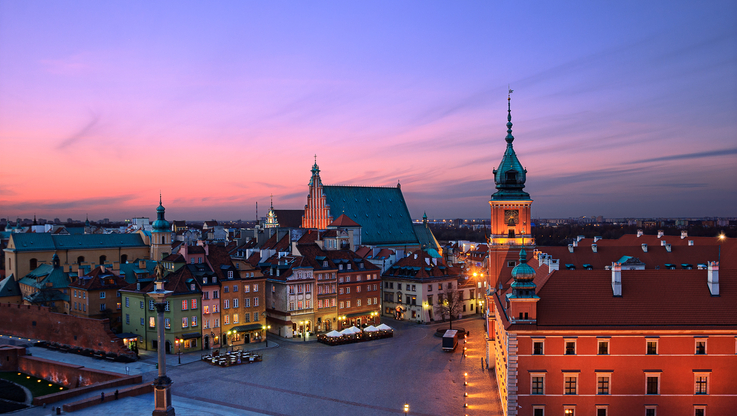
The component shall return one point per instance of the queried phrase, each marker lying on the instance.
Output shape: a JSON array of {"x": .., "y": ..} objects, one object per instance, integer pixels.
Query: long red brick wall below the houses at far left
[{"x": 37, "y": 322}]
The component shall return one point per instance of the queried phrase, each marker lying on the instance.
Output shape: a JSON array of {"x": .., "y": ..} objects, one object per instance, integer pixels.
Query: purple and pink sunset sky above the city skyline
[{"x": 623, "y": 109}]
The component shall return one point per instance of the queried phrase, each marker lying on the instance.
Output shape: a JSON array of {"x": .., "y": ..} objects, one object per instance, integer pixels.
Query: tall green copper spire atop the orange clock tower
[{"x": 510, "y": 176}]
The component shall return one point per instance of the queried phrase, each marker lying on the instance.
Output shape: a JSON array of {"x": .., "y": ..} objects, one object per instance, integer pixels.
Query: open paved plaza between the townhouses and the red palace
[{"x": 309, "y": 378}]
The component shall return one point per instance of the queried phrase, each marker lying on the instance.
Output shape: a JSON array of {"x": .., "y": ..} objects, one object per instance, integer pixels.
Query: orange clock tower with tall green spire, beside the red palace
[{"x": 510, "y": 211}]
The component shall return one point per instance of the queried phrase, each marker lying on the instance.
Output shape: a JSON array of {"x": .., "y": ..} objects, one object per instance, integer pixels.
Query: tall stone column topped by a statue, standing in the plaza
[{"x": 162, "y": 384}]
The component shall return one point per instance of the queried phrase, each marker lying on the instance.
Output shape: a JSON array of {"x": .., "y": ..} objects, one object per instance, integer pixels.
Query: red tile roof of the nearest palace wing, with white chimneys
[{"x": 666, "y": 299}]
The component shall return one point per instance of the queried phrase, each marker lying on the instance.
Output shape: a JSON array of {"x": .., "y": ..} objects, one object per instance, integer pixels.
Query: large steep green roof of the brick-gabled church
[{"x": 381, "y": 212}]
